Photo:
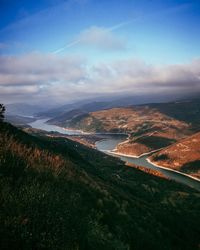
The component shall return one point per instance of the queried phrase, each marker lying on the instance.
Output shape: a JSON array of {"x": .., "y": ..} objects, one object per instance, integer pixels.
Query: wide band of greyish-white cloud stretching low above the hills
[{"x": 47, "y": 77}]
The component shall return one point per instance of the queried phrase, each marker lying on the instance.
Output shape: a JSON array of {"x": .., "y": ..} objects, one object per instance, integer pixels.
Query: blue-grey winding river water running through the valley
[{"x": 111, "y": 141}]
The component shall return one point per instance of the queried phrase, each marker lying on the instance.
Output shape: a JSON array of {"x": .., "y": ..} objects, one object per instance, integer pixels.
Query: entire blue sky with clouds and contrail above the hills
[{"x": 59, "y": 51}]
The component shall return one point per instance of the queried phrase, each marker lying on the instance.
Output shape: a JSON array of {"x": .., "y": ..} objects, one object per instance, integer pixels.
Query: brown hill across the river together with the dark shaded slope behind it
[{"x": 150, "y": 127}]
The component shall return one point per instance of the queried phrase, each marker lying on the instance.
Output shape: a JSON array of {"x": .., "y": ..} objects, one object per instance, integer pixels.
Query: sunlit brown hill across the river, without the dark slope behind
[{"x": 148, "y": 128}]
